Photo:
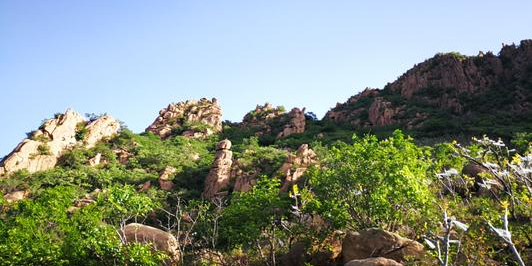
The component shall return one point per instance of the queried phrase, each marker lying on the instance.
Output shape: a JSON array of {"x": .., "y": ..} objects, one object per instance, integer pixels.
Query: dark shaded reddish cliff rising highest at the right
[{"x": 450, "y": 93}]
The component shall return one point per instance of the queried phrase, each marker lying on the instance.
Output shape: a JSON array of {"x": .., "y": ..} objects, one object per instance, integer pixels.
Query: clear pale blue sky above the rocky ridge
[{"x": 131, "y": 58}]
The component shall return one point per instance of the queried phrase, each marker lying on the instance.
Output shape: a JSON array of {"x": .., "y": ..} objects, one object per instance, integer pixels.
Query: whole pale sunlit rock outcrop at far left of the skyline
[{"x": 44, "y": 146}]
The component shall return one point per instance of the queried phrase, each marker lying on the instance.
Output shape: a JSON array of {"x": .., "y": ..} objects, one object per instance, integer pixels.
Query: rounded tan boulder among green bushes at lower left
[{"x": 160, "y": 239}]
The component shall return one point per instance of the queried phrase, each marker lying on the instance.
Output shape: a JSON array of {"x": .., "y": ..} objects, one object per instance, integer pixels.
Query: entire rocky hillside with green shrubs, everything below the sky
[{"x": 284, "y": 188}]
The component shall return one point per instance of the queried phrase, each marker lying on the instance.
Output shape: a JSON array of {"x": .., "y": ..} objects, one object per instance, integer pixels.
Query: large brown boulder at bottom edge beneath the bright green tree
[{"x": 376, "y": 242}]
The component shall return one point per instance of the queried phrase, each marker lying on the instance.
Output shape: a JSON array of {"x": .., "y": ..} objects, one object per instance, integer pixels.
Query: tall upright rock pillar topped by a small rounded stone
[{"x": 220, "y": 173}]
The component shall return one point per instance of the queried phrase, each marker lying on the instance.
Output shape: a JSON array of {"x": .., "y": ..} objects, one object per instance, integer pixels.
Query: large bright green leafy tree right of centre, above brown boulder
[{"x": 378, "y": 183}]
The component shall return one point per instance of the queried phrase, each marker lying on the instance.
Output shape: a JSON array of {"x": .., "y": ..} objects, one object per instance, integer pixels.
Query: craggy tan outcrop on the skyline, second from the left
[{"x": 190, "y": 118}]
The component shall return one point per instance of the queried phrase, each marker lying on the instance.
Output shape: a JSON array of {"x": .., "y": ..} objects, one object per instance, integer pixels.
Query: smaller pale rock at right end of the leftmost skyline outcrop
[{"x": 103, "y": 127}]
